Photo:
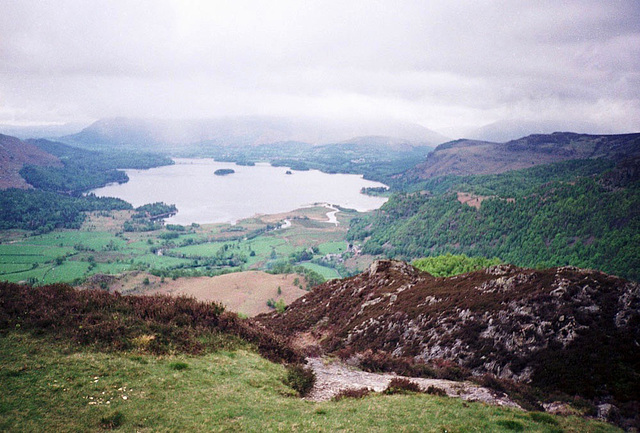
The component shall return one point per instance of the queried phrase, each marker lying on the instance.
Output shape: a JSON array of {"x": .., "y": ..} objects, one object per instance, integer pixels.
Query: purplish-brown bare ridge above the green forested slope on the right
[{"x": 464, "y": 157}]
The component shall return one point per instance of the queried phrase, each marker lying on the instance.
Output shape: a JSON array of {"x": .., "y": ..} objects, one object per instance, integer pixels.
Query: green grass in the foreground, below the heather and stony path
[{"x": 50, "y": 385}]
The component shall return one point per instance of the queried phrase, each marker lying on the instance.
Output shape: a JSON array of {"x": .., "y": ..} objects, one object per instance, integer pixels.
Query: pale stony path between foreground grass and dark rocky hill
[{"x": 335, "y": 376}]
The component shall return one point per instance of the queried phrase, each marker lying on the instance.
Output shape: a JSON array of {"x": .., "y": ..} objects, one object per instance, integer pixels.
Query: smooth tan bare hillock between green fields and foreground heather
[{"x": 242, "y": 292}]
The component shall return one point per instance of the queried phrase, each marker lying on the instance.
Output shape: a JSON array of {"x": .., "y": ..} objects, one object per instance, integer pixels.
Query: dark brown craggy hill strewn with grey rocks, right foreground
[{"x": 565, "y": 329}]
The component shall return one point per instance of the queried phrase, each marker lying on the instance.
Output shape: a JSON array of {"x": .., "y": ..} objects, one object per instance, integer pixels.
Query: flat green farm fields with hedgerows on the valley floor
[{"x": 102, "y": 246}]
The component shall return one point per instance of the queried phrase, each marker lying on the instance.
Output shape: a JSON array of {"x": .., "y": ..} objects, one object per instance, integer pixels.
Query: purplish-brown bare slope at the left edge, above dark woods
[{"x": 14, "y": 154}]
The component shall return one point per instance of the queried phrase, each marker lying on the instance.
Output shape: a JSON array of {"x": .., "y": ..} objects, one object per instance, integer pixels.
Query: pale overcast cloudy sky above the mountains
[{"x": 447, "y": 65}]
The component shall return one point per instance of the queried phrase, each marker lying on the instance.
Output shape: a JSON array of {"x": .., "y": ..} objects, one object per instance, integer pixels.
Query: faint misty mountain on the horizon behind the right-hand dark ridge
[{"x": 510, "y": 129}]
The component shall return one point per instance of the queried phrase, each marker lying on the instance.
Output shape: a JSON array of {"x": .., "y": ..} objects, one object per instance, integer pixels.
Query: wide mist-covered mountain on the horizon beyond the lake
[{"x": 172, "y": 135}]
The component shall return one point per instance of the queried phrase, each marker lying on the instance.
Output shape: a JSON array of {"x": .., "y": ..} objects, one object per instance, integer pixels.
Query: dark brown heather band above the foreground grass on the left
[{"x": 156, "y": 324}]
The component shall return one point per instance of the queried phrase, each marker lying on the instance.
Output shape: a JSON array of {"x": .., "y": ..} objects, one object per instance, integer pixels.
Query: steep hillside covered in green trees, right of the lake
[{"x": 559, "y": 214}]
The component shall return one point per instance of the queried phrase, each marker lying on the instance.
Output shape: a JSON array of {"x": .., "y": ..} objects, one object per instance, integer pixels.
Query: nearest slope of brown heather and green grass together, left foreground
[{"x": 94, "y": 361}]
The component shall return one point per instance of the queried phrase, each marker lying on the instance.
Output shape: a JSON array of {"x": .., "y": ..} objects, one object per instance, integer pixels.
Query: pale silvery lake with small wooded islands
[{"x": 202, "y": 197}]
